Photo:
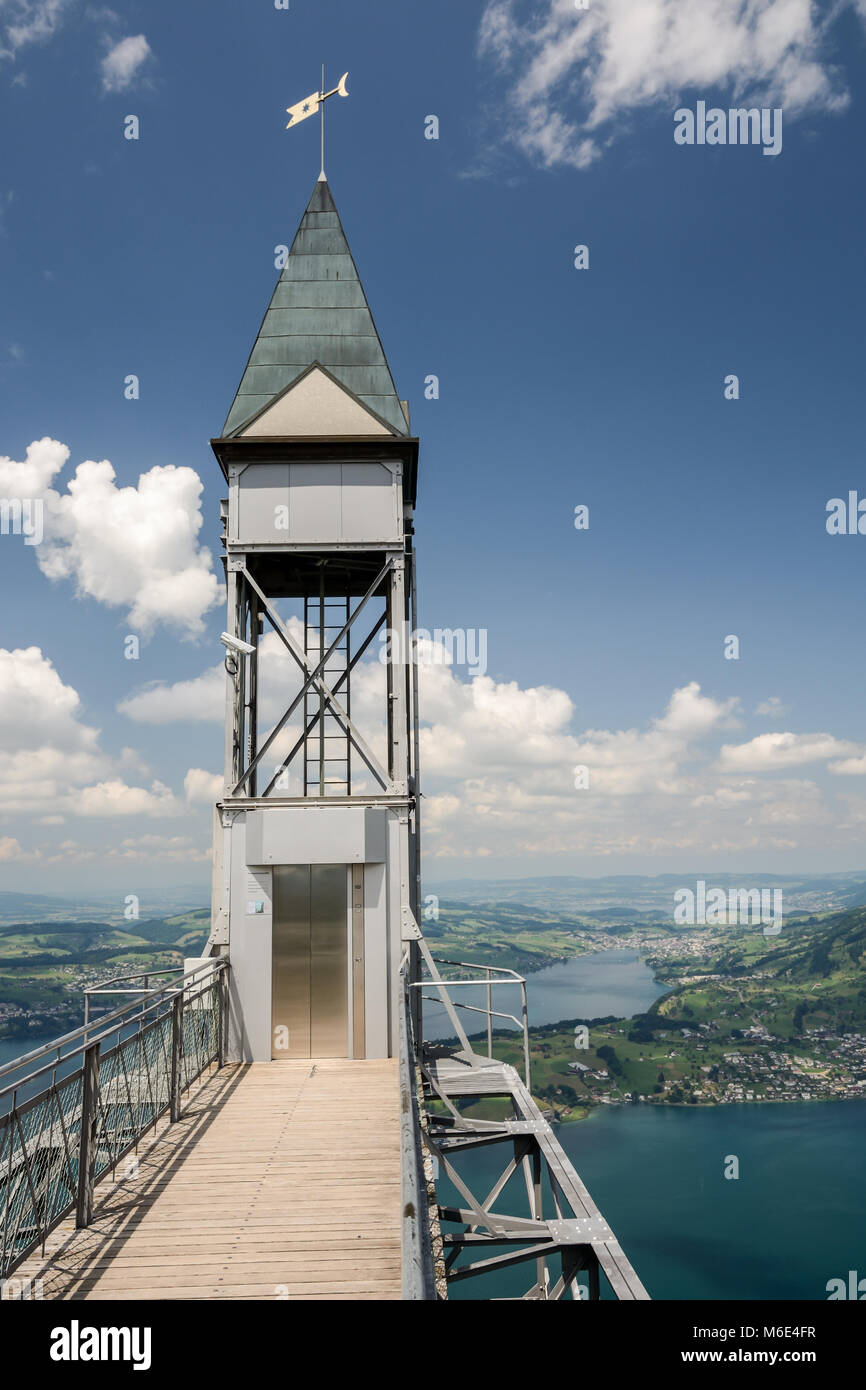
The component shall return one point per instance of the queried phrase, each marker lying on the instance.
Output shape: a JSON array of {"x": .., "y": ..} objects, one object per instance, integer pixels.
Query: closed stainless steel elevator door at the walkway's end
[{"x": 311, "y": 963}]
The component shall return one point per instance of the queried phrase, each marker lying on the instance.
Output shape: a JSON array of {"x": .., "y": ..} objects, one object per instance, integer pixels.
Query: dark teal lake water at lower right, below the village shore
[{"x": 792, "y": 1221}]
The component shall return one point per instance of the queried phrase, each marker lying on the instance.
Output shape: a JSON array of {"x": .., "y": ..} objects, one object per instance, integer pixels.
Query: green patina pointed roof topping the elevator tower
[{"x": 319, "y": 313}]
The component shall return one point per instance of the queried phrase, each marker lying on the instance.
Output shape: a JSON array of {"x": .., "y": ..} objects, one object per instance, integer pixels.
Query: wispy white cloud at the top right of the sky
[{"x": 575, "y": 77}]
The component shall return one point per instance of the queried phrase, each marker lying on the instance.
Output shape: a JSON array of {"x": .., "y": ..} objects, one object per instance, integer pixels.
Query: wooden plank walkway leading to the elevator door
[{"x": 279, "y": 1182}]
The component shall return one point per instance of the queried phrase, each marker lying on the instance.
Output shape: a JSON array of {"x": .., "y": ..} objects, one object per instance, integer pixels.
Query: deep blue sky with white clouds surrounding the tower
[{"x": 558, "y": 387}]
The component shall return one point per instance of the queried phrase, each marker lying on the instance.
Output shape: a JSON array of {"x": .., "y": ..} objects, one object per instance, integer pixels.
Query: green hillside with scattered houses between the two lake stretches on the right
[{"x": 754, "y": 1020}]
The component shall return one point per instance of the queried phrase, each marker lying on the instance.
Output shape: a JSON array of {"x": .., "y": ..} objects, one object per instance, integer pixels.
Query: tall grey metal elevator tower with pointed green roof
[{"x": 316, "y": 835}]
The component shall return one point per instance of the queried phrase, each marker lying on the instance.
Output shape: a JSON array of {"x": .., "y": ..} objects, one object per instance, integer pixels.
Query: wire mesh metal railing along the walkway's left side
[{"x": 74, "y": 1109}]
